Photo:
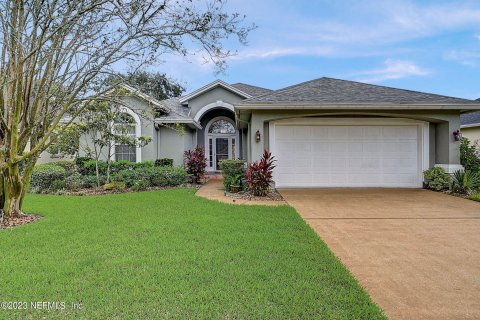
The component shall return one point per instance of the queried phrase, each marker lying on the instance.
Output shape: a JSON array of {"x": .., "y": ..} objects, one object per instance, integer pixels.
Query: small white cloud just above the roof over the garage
[{"x": 393, "y": 69}]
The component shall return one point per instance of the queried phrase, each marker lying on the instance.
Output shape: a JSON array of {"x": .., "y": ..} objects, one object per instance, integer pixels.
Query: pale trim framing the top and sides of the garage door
[{"x": 423, "y": 133}]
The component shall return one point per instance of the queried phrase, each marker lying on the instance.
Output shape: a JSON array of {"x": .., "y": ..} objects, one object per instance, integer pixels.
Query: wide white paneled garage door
[{"x": 347, "y": 155}]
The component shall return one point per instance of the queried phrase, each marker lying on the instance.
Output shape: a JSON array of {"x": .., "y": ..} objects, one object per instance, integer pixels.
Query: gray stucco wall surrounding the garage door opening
[{"x": 444, "y": 150}]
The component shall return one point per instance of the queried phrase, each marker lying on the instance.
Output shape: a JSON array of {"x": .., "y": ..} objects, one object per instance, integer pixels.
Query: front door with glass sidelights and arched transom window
[{"x": 221, "y": 141}]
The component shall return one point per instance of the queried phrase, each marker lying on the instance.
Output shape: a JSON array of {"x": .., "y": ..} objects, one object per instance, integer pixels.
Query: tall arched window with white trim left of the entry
[{"x": 126, "y": 125}]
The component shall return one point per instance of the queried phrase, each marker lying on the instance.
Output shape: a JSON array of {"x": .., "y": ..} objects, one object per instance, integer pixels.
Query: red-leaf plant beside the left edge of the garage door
[{"x": 259, "y": 175}]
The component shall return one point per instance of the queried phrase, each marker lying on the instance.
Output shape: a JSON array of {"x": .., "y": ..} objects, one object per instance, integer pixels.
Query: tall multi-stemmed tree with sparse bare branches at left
[{"x": 54, "y": 52}]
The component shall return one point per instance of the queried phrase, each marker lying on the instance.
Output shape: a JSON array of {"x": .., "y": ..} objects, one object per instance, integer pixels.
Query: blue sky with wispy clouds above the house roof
[{"x": 429, "y": 45}]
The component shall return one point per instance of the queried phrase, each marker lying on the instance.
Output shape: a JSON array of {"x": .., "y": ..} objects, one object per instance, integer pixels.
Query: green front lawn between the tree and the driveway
[{"x": 169, "y": 254}]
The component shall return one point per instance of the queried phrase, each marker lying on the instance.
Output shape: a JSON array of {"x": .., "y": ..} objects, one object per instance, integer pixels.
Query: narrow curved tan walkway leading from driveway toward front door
[{"x": 213, "y": 190}]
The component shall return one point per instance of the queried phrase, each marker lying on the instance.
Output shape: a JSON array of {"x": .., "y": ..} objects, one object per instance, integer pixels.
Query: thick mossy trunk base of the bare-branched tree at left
[{"x": 13, "y": 191}]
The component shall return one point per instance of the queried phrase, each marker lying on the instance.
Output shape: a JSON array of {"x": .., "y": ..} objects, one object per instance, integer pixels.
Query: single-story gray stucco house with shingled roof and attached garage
[{"x": 323, "y": 133}]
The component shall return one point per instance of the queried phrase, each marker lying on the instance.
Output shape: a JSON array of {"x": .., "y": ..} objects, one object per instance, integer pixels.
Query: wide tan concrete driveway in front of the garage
[{"x": 416, "y": 252}]
